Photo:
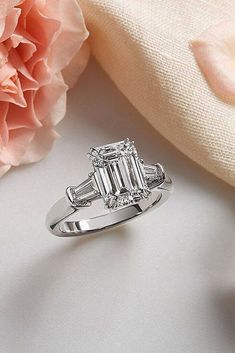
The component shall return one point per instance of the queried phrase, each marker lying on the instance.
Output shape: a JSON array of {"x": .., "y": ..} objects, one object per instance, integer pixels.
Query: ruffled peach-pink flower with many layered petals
[{"x": 38, "y": 39}]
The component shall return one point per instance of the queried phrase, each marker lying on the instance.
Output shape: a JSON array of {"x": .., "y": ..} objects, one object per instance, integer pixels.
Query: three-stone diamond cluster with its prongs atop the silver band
[{"x": 119, "y": 176}]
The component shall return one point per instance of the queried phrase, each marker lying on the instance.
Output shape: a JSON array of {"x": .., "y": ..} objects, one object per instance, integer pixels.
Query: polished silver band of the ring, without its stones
[{"x": 65, "y": 221}]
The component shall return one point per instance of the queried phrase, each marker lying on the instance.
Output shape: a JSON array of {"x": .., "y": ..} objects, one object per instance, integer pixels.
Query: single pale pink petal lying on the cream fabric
[{"x": 214, "y": 51}]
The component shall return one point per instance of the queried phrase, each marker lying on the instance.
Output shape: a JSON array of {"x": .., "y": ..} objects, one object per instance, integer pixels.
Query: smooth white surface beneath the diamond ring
[{"x": 163, "y": 283}]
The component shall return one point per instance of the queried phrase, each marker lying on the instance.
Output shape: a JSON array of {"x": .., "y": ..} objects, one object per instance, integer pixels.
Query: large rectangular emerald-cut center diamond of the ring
[{"x": 119, "y": 173}]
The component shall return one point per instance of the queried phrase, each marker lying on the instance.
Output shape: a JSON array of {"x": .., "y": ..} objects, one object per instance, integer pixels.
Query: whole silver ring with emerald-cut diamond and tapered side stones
[{"x": 120, "y": 187}]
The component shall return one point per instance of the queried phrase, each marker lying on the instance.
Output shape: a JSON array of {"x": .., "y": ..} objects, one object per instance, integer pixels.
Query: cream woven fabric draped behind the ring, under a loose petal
[{"x": 143, "y": 45}]
